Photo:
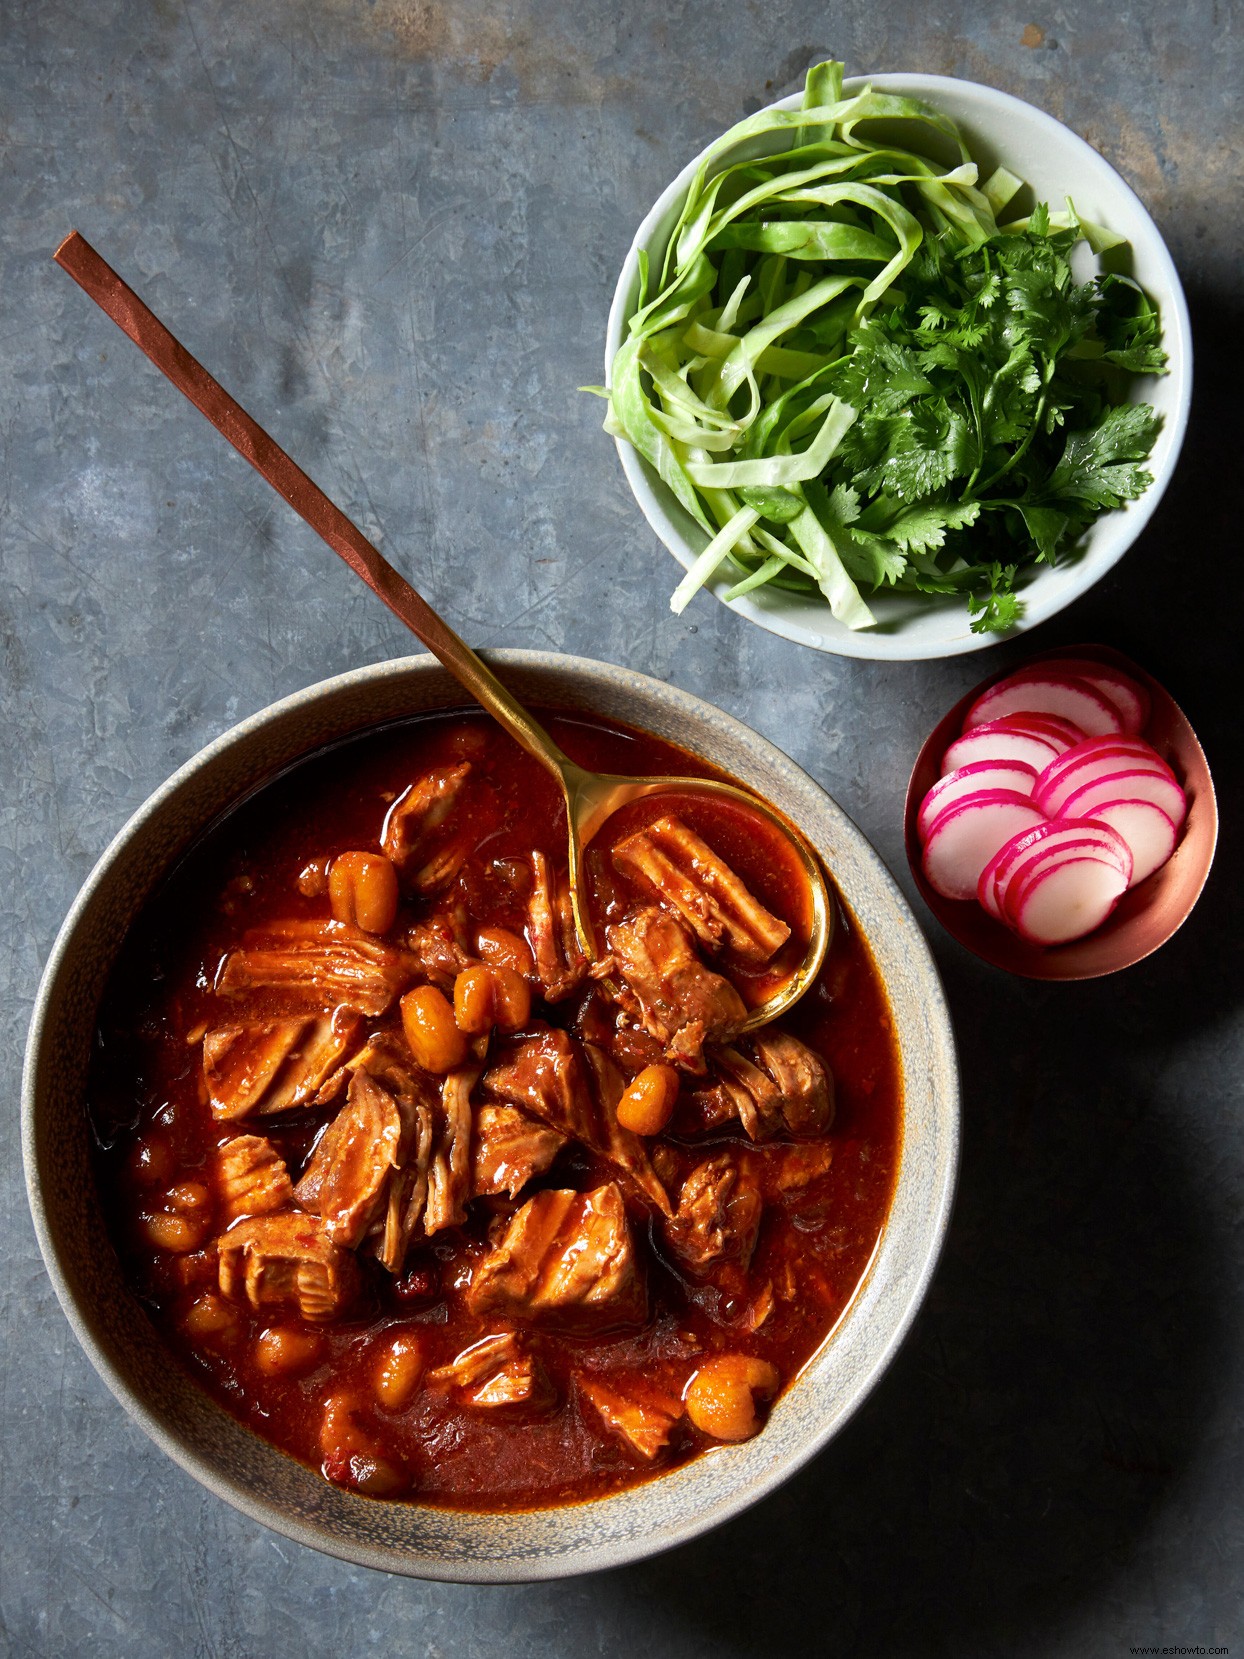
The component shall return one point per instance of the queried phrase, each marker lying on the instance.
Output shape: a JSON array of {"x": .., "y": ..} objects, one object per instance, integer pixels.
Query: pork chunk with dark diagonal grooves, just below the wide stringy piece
[{"x": 275, "y": 1066}]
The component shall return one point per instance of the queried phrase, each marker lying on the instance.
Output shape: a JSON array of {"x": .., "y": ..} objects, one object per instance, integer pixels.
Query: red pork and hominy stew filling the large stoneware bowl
[{"x": 429, "y": 1204}]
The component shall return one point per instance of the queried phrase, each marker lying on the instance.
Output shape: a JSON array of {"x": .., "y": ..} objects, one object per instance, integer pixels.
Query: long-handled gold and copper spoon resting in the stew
[{"x": 591, "y": 797}]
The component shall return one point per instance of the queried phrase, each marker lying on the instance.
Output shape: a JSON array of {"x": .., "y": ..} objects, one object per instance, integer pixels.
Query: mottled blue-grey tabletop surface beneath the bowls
[{"x": 392, "y": 230}]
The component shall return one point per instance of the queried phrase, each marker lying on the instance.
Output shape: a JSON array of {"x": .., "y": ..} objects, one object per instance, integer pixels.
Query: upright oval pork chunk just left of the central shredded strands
[{"x": 347, "y": 1175}]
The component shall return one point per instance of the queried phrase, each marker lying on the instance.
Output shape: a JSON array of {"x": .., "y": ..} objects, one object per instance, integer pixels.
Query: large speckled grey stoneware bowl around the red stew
[{"x": 270, "y": 1486}]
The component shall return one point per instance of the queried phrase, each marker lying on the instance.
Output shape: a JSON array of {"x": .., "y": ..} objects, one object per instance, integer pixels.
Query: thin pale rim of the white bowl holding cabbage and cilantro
[{"x": 877, "y": 646}]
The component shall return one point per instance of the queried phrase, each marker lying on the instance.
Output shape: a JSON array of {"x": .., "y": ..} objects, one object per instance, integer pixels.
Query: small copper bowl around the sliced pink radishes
[{"x": 1144, "y": 918}]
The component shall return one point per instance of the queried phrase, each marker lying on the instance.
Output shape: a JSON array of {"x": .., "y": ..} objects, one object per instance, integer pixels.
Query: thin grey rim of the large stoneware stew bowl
[{"x": 553, "y": 1565}]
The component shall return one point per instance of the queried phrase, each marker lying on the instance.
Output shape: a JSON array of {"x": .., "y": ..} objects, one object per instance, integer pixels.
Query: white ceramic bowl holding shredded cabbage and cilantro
[{"x": 1056, "y": 163}]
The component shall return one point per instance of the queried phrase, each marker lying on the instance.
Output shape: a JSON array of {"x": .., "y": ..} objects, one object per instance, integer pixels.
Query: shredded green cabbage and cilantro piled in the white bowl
[{"x": 857, "y": 381}]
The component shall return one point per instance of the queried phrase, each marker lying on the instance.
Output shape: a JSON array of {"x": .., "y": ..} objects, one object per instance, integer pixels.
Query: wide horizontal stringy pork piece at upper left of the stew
[{"x": 309, "y": 966}]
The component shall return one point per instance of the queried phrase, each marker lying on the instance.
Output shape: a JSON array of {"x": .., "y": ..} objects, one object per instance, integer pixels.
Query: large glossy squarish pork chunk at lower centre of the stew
[{"x": 565, "y": 1258}]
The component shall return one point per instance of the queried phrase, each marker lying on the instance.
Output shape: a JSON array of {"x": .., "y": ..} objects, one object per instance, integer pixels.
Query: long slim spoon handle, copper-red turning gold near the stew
[{"x": 115, "y": 296}]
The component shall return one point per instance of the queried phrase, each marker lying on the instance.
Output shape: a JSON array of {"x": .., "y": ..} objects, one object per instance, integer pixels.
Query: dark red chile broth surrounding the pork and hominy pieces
[{"x": 155, "y": 1131}]
